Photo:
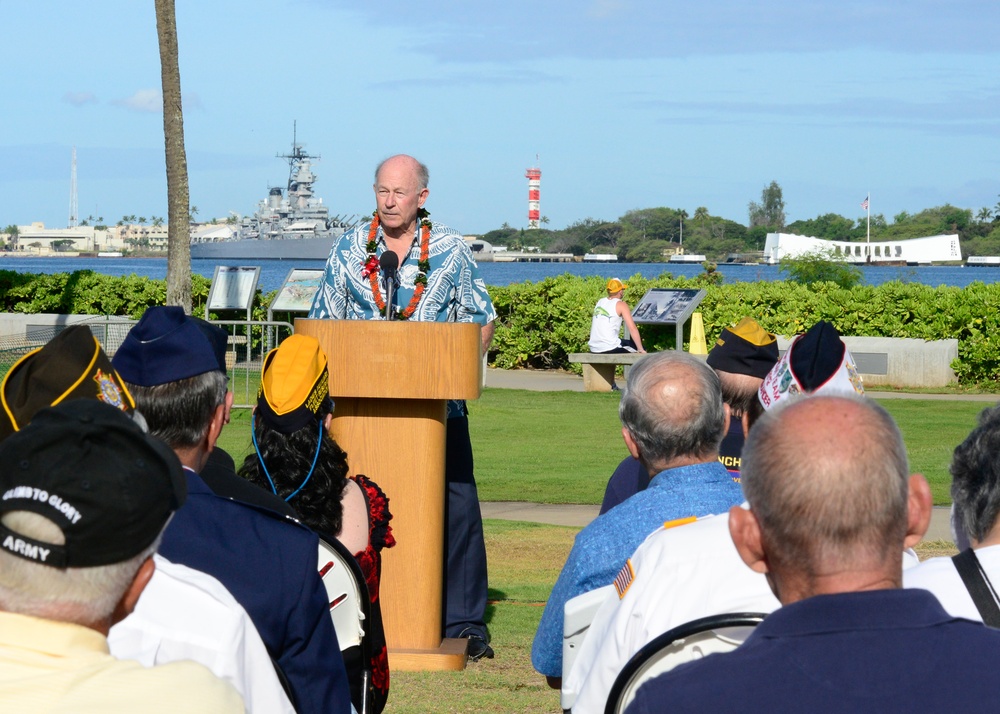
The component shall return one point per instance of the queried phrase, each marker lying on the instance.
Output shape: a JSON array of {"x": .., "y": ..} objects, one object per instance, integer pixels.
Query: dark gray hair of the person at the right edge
[{"x": 975, "y": 477}]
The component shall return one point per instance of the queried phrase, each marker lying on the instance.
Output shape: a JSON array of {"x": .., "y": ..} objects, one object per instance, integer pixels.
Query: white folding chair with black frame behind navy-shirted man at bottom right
[{"x": 684, "y": 643}]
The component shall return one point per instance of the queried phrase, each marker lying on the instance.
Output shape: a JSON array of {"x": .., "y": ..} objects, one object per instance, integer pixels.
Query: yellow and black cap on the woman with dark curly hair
[{"x": 294, "y": 384}]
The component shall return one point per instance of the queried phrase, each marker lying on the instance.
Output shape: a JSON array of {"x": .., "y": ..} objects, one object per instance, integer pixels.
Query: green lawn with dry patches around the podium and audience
[{"x": 560, "y": 447}]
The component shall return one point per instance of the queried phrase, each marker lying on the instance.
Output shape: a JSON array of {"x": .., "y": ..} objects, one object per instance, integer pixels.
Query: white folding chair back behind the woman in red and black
[{"x": 350, "y": 609}]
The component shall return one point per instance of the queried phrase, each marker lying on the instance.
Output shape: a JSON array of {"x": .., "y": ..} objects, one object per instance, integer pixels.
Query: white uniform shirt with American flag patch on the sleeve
[{"x": 680, "y": 573}]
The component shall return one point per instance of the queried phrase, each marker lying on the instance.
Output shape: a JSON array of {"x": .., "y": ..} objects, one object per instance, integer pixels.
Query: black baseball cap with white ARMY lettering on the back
[{"x": 91, "y": 470}]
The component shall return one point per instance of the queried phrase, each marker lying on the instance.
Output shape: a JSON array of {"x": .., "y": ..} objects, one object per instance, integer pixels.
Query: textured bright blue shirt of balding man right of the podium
[{"x": 601, "y": 549}]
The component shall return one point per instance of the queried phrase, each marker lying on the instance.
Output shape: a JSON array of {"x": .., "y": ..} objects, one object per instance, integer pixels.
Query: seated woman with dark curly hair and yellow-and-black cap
[{"x": 296, "y": 458}]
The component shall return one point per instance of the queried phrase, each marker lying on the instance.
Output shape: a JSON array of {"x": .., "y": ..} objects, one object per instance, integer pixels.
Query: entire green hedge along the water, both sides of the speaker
[{"x": 540, "y": 324}]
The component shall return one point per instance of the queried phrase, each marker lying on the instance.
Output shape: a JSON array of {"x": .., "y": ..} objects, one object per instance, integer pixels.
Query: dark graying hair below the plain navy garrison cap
[{"x": 180, "y": 412}]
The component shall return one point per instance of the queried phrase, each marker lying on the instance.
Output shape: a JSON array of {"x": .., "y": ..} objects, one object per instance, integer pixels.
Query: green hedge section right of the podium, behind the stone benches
[{"x": 539, "y": 324}]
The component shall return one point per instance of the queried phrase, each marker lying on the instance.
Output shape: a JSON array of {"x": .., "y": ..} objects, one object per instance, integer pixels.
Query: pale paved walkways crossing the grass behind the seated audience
[{"x": 579, "y": 516}]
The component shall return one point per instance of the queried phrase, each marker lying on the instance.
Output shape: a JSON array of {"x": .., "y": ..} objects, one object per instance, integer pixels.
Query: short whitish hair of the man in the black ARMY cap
[{"x": 84, "y": 596}]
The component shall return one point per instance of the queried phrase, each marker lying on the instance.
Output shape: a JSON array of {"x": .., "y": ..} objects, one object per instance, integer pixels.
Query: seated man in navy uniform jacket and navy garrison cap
[{"x": 266, "y": 561}]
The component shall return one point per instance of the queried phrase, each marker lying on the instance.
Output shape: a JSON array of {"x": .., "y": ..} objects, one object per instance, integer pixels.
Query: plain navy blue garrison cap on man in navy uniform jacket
[{"x": 165, "y": 346}]
